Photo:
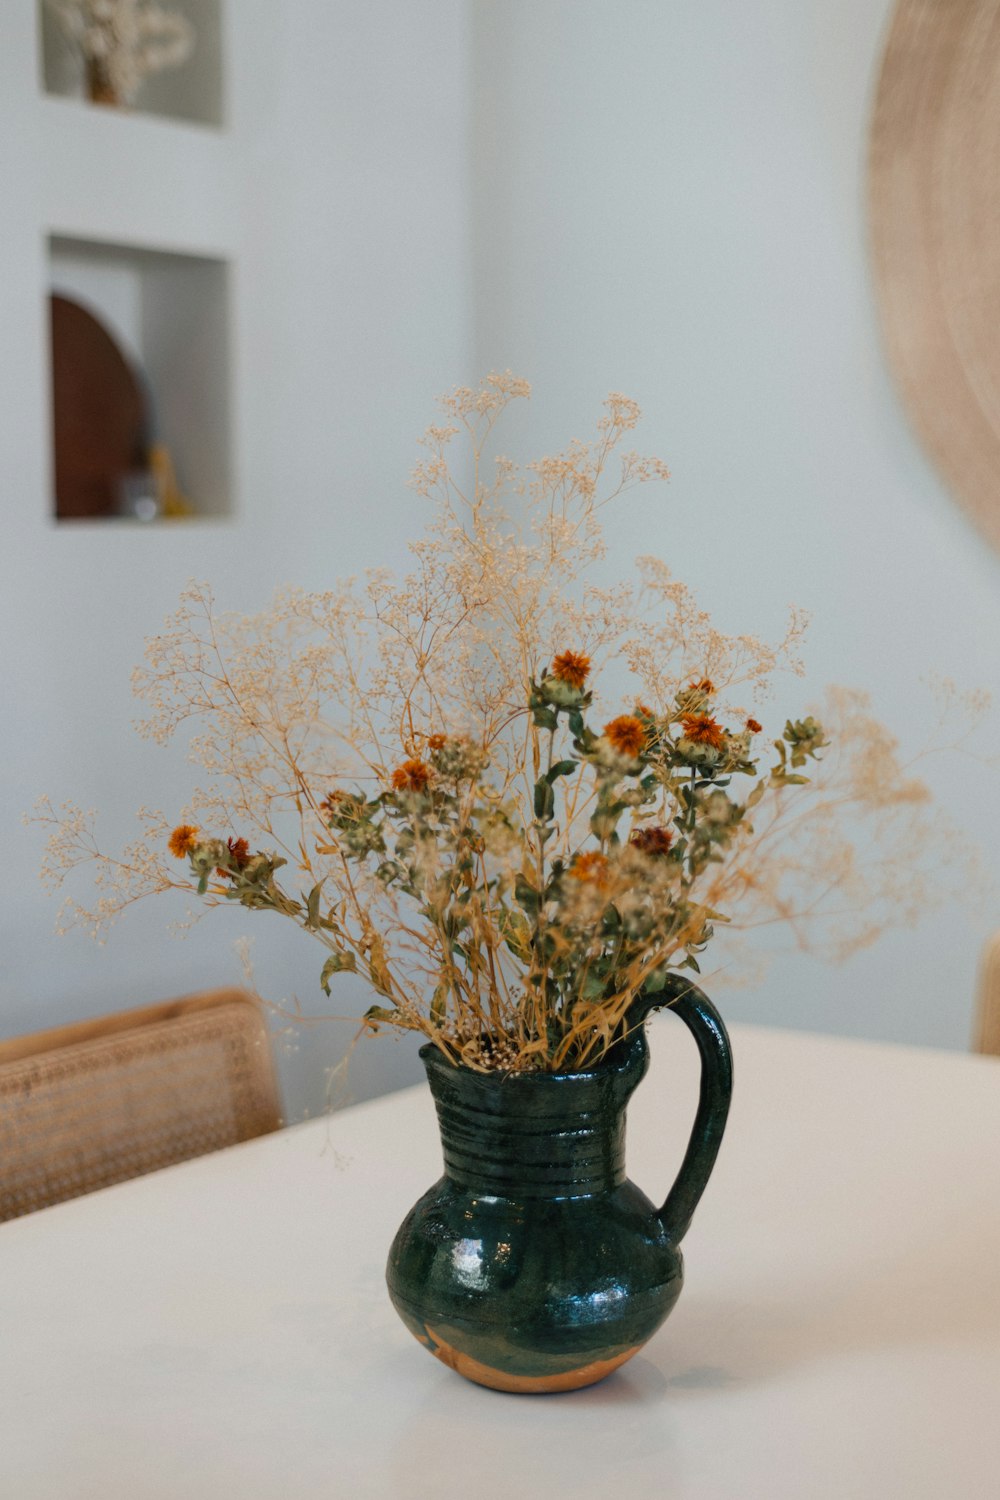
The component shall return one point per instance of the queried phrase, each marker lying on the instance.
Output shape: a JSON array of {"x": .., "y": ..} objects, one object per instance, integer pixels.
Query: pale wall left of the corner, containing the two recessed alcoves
[{"x": 338, "y": 191}]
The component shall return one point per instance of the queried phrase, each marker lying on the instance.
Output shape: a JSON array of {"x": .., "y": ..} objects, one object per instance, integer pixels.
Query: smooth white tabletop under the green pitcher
[{"x": 221, "y": 1330}]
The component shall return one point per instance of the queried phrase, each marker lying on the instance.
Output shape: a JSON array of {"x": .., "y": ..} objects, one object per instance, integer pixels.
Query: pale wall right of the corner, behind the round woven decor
[{"x": 669, "y": 202}]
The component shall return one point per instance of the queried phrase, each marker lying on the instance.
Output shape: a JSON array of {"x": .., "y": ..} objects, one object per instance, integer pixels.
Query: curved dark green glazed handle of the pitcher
[{"x": 710, "y": 1033}]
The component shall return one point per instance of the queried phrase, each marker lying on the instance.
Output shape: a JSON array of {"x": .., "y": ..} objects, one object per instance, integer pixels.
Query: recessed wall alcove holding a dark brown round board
[{"x": 169, "y": 317}]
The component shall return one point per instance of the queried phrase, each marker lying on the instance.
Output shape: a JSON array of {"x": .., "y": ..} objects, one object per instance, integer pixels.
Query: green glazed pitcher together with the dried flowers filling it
[{"x": 519, "y": 803}]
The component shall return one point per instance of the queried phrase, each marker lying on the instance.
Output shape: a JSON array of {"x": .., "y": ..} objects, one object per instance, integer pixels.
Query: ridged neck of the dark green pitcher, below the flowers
[{"x": 542, "y": 1135}]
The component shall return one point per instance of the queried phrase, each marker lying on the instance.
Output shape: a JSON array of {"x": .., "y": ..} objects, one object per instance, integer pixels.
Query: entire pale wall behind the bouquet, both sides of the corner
[{"x": 666, "y": 199}]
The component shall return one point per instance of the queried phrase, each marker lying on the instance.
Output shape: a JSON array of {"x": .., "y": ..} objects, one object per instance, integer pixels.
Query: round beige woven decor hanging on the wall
[{"x": 935, "y": 185}]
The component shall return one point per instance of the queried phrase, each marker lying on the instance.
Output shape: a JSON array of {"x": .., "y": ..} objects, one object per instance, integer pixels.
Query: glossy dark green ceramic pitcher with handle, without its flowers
[{"x": 534, "y": 1264}]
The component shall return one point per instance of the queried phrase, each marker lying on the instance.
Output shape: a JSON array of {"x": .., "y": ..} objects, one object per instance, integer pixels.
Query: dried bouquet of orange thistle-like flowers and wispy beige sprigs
[{"x": 418, "y": 772}]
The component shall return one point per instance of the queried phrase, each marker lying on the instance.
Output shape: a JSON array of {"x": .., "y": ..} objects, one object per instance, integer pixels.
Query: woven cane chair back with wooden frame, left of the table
[{"x": 101, "y": 1102}]
